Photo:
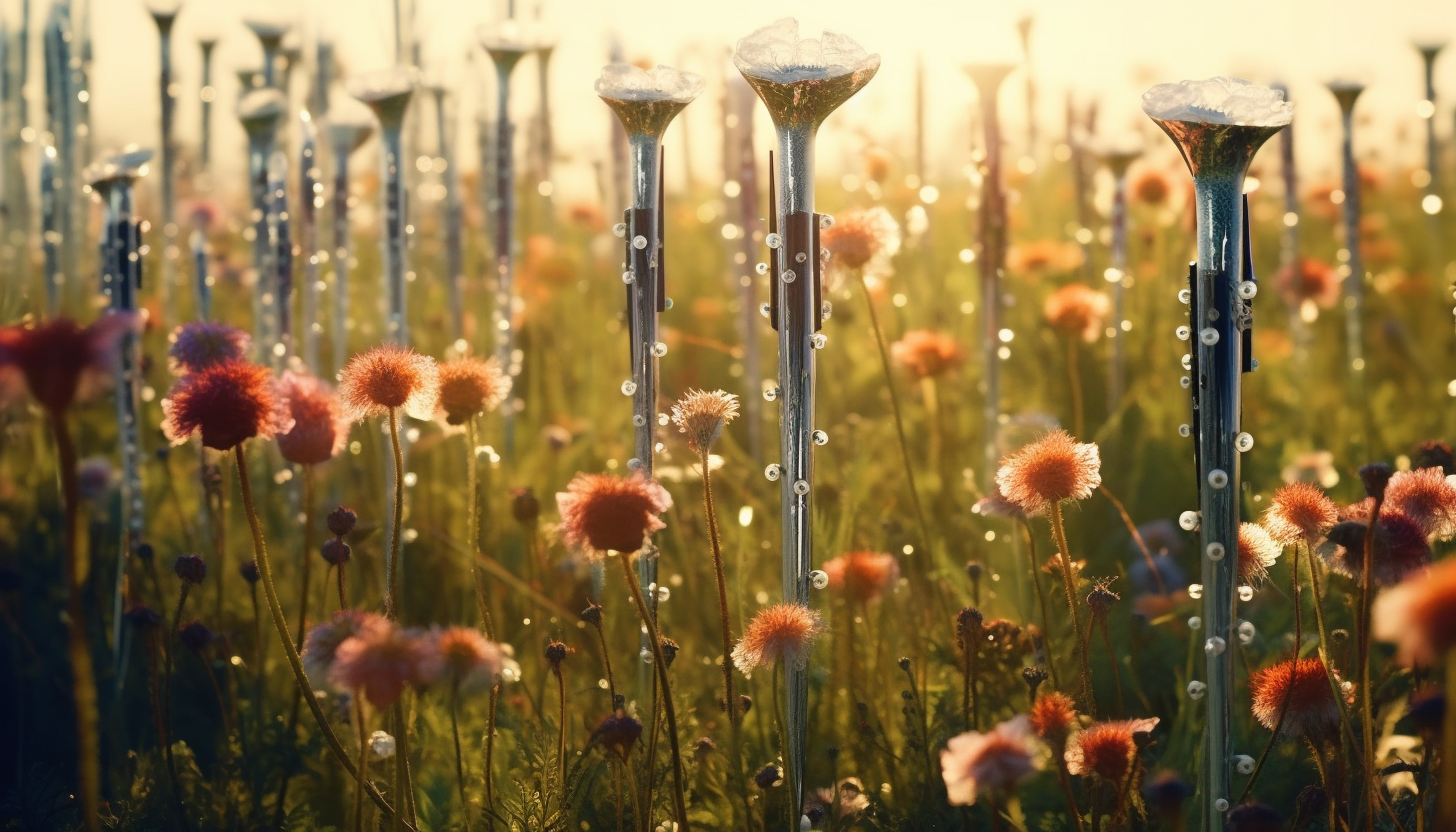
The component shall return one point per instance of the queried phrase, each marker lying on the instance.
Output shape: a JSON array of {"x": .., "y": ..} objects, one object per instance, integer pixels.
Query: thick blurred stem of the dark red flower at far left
[{"x": 84, "y": 677}]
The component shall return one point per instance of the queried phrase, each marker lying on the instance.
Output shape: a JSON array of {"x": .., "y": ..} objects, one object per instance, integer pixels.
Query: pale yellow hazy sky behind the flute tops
[{"x": 1109, "y": 52}]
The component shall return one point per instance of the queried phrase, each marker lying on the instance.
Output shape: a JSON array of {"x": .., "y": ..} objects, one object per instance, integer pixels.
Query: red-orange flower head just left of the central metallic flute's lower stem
[{"x": 604, "y": 514}]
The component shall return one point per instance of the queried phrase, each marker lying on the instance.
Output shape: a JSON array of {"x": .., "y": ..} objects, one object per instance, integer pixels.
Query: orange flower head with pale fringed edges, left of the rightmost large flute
[{"x": 1049, "y": 471}]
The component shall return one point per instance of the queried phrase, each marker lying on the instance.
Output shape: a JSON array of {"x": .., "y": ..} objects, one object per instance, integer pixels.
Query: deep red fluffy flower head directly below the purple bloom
[{"x": 228, "y": 403}]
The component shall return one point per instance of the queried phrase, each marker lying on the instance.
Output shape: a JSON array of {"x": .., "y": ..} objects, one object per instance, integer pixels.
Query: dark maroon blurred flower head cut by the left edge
[{"x": 60, "y": 362}]
